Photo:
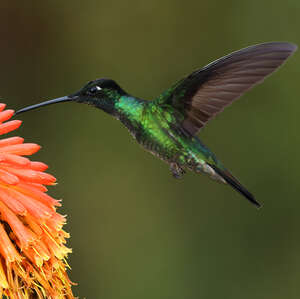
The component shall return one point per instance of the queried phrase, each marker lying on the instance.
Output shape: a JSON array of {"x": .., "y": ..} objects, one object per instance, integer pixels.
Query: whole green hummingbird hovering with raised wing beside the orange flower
[{"x": 168, "y": 126}]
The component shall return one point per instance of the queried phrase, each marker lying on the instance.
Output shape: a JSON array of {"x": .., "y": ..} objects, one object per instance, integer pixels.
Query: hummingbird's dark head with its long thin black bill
[{"x": 101, "y": 93}]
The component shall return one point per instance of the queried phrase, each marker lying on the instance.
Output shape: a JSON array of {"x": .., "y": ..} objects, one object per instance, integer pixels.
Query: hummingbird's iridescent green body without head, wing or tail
[{"x": 156, "y": 129}]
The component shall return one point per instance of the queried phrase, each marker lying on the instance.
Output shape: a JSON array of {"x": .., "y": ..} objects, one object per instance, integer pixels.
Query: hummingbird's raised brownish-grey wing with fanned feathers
[{"x": 207, "y": 91}]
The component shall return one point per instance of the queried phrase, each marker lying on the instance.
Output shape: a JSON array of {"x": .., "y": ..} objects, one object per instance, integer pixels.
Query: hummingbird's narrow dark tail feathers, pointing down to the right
[{"x": 234, "y": 183}]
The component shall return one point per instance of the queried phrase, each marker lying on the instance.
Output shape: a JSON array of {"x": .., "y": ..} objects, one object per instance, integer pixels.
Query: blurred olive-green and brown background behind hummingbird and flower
[{"x": 137, "y": 232}]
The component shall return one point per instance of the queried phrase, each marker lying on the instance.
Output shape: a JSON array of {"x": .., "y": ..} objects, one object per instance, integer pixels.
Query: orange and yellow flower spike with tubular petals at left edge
[{"x": 32, "y": 251}]
